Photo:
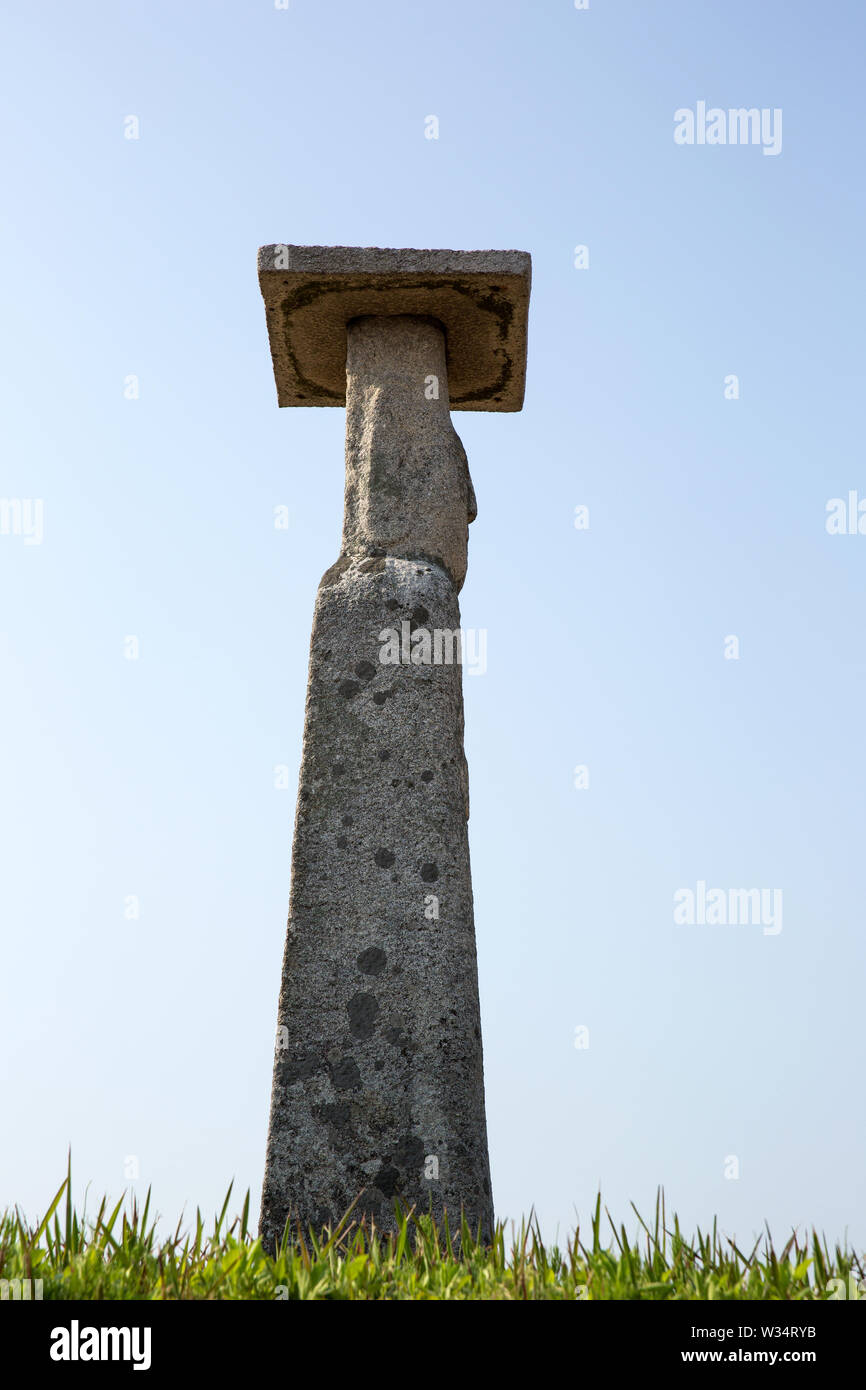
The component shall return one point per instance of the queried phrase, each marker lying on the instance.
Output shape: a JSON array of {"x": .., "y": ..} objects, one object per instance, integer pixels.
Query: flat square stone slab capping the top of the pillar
[{"x": 480, "y": 298}]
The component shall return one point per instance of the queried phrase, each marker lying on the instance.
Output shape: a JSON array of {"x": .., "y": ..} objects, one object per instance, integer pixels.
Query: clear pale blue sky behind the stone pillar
[{"x": 155, "y": 778}]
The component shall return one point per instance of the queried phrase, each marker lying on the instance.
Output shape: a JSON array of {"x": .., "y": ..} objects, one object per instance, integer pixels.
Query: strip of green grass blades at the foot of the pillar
[{"x": 119, "y": 1256}]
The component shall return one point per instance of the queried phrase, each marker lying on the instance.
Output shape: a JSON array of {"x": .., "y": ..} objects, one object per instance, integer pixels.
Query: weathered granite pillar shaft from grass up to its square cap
[{"x": 379, "y": 1085}]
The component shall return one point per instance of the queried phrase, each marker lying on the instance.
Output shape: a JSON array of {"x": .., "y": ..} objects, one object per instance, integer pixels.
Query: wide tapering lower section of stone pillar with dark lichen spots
[{"x": 379, "y": 1071}]
